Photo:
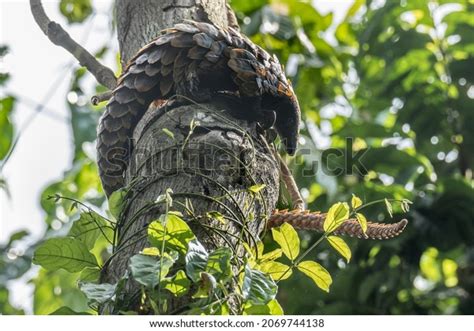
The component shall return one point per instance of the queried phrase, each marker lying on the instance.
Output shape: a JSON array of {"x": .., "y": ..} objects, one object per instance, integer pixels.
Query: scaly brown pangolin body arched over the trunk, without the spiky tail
[{"x": 194, "y": 59}]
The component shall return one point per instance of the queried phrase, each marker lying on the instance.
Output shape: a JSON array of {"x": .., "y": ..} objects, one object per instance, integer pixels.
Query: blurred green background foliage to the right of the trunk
[{"x": 396, "y": 80}]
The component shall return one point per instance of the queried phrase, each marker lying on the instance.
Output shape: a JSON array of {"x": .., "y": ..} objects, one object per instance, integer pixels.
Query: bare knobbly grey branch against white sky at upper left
[{"x": 60, "y": 37}]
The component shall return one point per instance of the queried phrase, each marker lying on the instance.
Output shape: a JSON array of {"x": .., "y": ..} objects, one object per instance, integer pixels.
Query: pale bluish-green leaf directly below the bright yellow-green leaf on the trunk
[{"x": 148, "y": 270}]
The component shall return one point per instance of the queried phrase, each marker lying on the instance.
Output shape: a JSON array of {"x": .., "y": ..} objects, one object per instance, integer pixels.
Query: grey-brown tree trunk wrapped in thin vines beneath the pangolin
[{"x": 209, "y": 161}]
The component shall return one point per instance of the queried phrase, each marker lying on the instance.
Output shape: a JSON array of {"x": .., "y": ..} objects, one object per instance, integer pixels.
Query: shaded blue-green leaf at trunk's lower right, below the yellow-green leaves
[{"x": 258, "y": 288}]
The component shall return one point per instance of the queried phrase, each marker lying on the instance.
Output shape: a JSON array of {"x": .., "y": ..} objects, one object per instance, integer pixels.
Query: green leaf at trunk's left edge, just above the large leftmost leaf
[{"x": 88, "y": 228}]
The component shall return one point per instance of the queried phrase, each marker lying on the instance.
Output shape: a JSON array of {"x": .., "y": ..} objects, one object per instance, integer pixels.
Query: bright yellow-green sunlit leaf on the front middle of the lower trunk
[{"x": 175, "y": 232}]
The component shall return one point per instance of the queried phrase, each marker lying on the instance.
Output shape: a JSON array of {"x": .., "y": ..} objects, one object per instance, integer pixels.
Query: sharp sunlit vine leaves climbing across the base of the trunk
[{"x": 175, "y": 264}]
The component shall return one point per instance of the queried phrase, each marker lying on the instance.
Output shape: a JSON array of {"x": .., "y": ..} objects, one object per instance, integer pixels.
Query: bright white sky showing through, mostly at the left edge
[{"x": 44, "y": 151}]
